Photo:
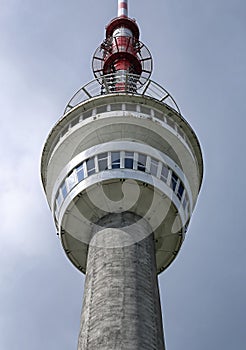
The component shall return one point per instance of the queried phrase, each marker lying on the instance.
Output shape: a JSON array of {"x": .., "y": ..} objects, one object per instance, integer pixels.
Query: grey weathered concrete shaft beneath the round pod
[{"x": 121, "y": 307}]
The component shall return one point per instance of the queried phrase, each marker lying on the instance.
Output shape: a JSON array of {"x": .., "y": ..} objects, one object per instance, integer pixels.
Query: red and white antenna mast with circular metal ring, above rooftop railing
[{"x": 121, "y": 53}]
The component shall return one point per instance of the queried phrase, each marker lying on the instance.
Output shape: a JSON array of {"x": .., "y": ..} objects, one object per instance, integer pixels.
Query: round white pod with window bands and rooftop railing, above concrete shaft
[{"x": 131, "y": 139}]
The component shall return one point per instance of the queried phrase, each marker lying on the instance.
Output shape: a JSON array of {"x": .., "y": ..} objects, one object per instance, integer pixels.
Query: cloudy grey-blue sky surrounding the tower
[{"x": 199, "y": 56}]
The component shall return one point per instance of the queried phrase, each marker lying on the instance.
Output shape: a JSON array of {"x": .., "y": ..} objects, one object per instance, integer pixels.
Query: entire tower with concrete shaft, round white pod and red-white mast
[{"x": 121, "y": 170}]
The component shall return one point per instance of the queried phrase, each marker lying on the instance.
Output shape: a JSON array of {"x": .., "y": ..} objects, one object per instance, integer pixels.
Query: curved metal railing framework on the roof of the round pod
[{"x": 121, "y": 82}]
